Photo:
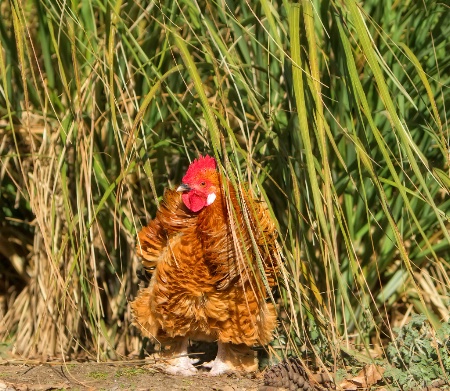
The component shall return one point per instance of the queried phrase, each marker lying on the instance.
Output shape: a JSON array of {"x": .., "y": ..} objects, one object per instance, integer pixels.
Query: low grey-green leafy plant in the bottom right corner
[{"x": 418, "y": 354}]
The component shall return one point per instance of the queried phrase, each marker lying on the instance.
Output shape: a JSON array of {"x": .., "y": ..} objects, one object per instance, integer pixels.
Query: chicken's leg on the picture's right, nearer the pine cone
[{"x": 233, "y": 358}]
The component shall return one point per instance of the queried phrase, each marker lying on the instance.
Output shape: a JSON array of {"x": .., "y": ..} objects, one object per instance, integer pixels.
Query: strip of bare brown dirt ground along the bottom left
[{"x": 113, "y": 376}]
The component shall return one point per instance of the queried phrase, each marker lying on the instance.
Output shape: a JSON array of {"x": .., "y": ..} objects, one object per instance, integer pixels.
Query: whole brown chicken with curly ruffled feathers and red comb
[{"x": 208, "y": 257}]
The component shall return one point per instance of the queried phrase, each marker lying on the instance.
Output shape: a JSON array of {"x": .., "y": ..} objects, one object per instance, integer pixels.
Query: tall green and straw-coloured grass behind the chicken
[{"x": 333, "y": 111}]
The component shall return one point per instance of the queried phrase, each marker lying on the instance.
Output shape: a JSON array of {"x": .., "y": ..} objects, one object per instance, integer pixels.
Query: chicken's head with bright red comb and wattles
[{"x": 200, "y": 184}]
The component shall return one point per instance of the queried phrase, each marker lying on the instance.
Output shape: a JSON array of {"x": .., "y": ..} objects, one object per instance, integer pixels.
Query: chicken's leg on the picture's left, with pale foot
[{"x": 177, "y": 360}]
